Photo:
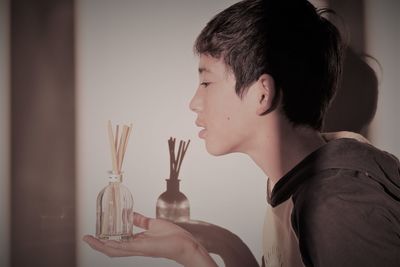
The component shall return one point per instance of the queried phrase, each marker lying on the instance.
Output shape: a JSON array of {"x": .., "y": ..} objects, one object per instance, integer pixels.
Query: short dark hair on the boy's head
[{"x": 288, "y": 40}]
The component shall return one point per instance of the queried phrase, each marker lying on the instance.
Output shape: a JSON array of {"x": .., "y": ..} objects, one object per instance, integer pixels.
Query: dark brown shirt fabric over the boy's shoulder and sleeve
[{"x": 346, "y": 205}]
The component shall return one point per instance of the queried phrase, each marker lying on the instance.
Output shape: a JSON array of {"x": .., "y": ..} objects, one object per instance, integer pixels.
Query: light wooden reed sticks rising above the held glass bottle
[{"x": 118, "y": 144}]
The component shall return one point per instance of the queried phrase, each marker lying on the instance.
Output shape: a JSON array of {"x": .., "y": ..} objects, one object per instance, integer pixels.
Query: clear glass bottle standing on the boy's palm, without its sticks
[{"x": 114, "y": 210}]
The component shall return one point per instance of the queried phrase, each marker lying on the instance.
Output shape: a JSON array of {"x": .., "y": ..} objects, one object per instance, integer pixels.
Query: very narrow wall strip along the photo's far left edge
[{"x": 4, "y": 134}]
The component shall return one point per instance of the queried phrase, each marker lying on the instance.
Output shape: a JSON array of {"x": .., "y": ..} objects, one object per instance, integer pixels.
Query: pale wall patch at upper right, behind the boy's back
[{"x": 383, "y": 42}]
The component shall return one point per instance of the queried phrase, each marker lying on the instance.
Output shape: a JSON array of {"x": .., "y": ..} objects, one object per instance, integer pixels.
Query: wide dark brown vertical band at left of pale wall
[{"x": 42, "y": 133}]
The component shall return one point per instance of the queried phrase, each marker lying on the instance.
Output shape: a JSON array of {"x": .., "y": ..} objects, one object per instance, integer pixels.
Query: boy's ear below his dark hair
[{"x": 266, "y": 95}]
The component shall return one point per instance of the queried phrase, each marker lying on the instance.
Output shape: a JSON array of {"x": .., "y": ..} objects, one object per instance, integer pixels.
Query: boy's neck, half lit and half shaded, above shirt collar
[{"x": 281, "y": 147}]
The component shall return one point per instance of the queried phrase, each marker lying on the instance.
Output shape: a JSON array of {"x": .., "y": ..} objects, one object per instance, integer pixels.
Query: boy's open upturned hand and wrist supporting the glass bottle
[{"x": 161, "y": 239}]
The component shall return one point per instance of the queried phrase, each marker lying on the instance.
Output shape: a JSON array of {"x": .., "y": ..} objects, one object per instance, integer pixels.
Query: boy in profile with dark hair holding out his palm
[{"x": 268, "y": 71}]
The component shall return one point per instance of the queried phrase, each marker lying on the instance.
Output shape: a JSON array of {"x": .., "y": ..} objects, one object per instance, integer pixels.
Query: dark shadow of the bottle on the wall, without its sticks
[{"x": 173, "y": 205}]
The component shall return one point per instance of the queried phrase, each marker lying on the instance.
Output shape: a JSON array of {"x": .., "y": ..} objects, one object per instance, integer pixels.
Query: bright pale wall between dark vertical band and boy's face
[{"x": 135, "y": 64}]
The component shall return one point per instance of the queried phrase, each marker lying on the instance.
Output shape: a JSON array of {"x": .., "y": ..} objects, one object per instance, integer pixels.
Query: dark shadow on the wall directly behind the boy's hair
[{"x": 355, "y": 103}]
